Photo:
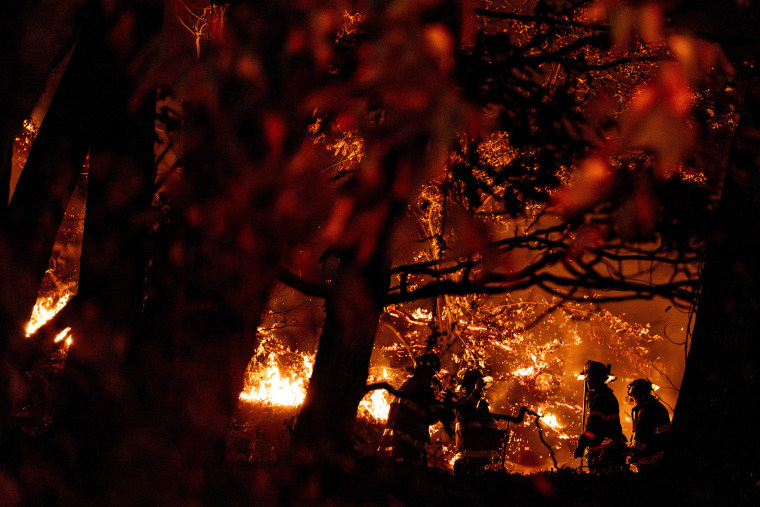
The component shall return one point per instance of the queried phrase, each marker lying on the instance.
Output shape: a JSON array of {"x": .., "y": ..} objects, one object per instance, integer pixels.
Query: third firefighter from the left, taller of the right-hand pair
[{"x": 602, "y": 435}]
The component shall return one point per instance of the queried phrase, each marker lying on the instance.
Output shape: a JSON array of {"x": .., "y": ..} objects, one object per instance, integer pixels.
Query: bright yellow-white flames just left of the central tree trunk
[{"x": 277, "y": 376}]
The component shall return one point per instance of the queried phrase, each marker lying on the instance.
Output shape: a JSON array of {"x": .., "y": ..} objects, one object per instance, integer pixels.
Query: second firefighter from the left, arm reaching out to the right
[{"x": 477, "y": 436}]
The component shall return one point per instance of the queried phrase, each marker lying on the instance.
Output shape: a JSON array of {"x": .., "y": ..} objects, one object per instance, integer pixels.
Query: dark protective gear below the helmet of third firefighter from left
[{"x": 603, "y": 434}]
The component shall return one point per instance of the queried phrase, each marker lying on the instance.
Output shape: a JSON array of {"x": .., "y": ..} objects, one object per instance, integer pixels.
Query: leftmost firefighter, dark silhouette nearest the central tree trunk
[{"x": 406, "y": 433}]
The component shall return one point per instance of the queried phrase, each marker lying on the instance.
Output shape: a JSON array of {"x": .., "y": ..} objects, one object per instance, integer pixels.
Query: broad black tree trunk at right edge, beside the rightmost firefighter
[{"x": 715, "y": 423}]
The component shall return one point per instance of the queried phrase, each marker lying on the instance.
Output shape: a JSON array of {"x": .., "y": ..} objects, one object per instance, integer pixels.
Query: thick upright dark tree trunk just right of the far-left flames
[{"x": 104, "y": 376}]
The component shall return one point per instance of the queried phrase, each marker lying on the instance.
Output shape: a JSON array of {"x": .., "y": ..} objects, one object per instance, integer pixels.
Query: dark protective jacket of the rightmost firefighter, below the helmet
[{"x": 651, "y": 424}]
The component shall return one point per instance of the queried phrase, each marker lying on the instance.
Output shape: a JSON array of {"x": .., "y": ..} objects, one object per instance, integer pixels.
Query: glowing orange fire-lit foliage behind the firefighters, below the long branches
[{"x": 533, "y": 365}]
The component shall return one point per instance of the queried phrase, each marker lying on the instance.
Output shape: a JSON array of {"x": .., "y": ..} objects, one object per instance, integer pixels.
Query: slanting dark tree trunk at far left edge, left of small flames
[{"x": 33, "y": 217}]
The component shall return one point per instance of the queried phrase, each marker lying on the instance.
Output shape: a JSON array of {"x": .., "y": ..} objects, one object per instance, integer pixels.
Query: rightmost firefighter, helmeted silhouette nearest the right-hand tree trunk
[{"x": 651, "y": 424}]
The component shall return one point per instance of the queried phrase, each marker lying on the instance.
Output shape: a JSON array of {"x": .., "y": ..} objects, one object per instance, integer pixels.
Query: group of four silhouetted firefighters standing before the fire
[{"x": 466, "y": 415}]
